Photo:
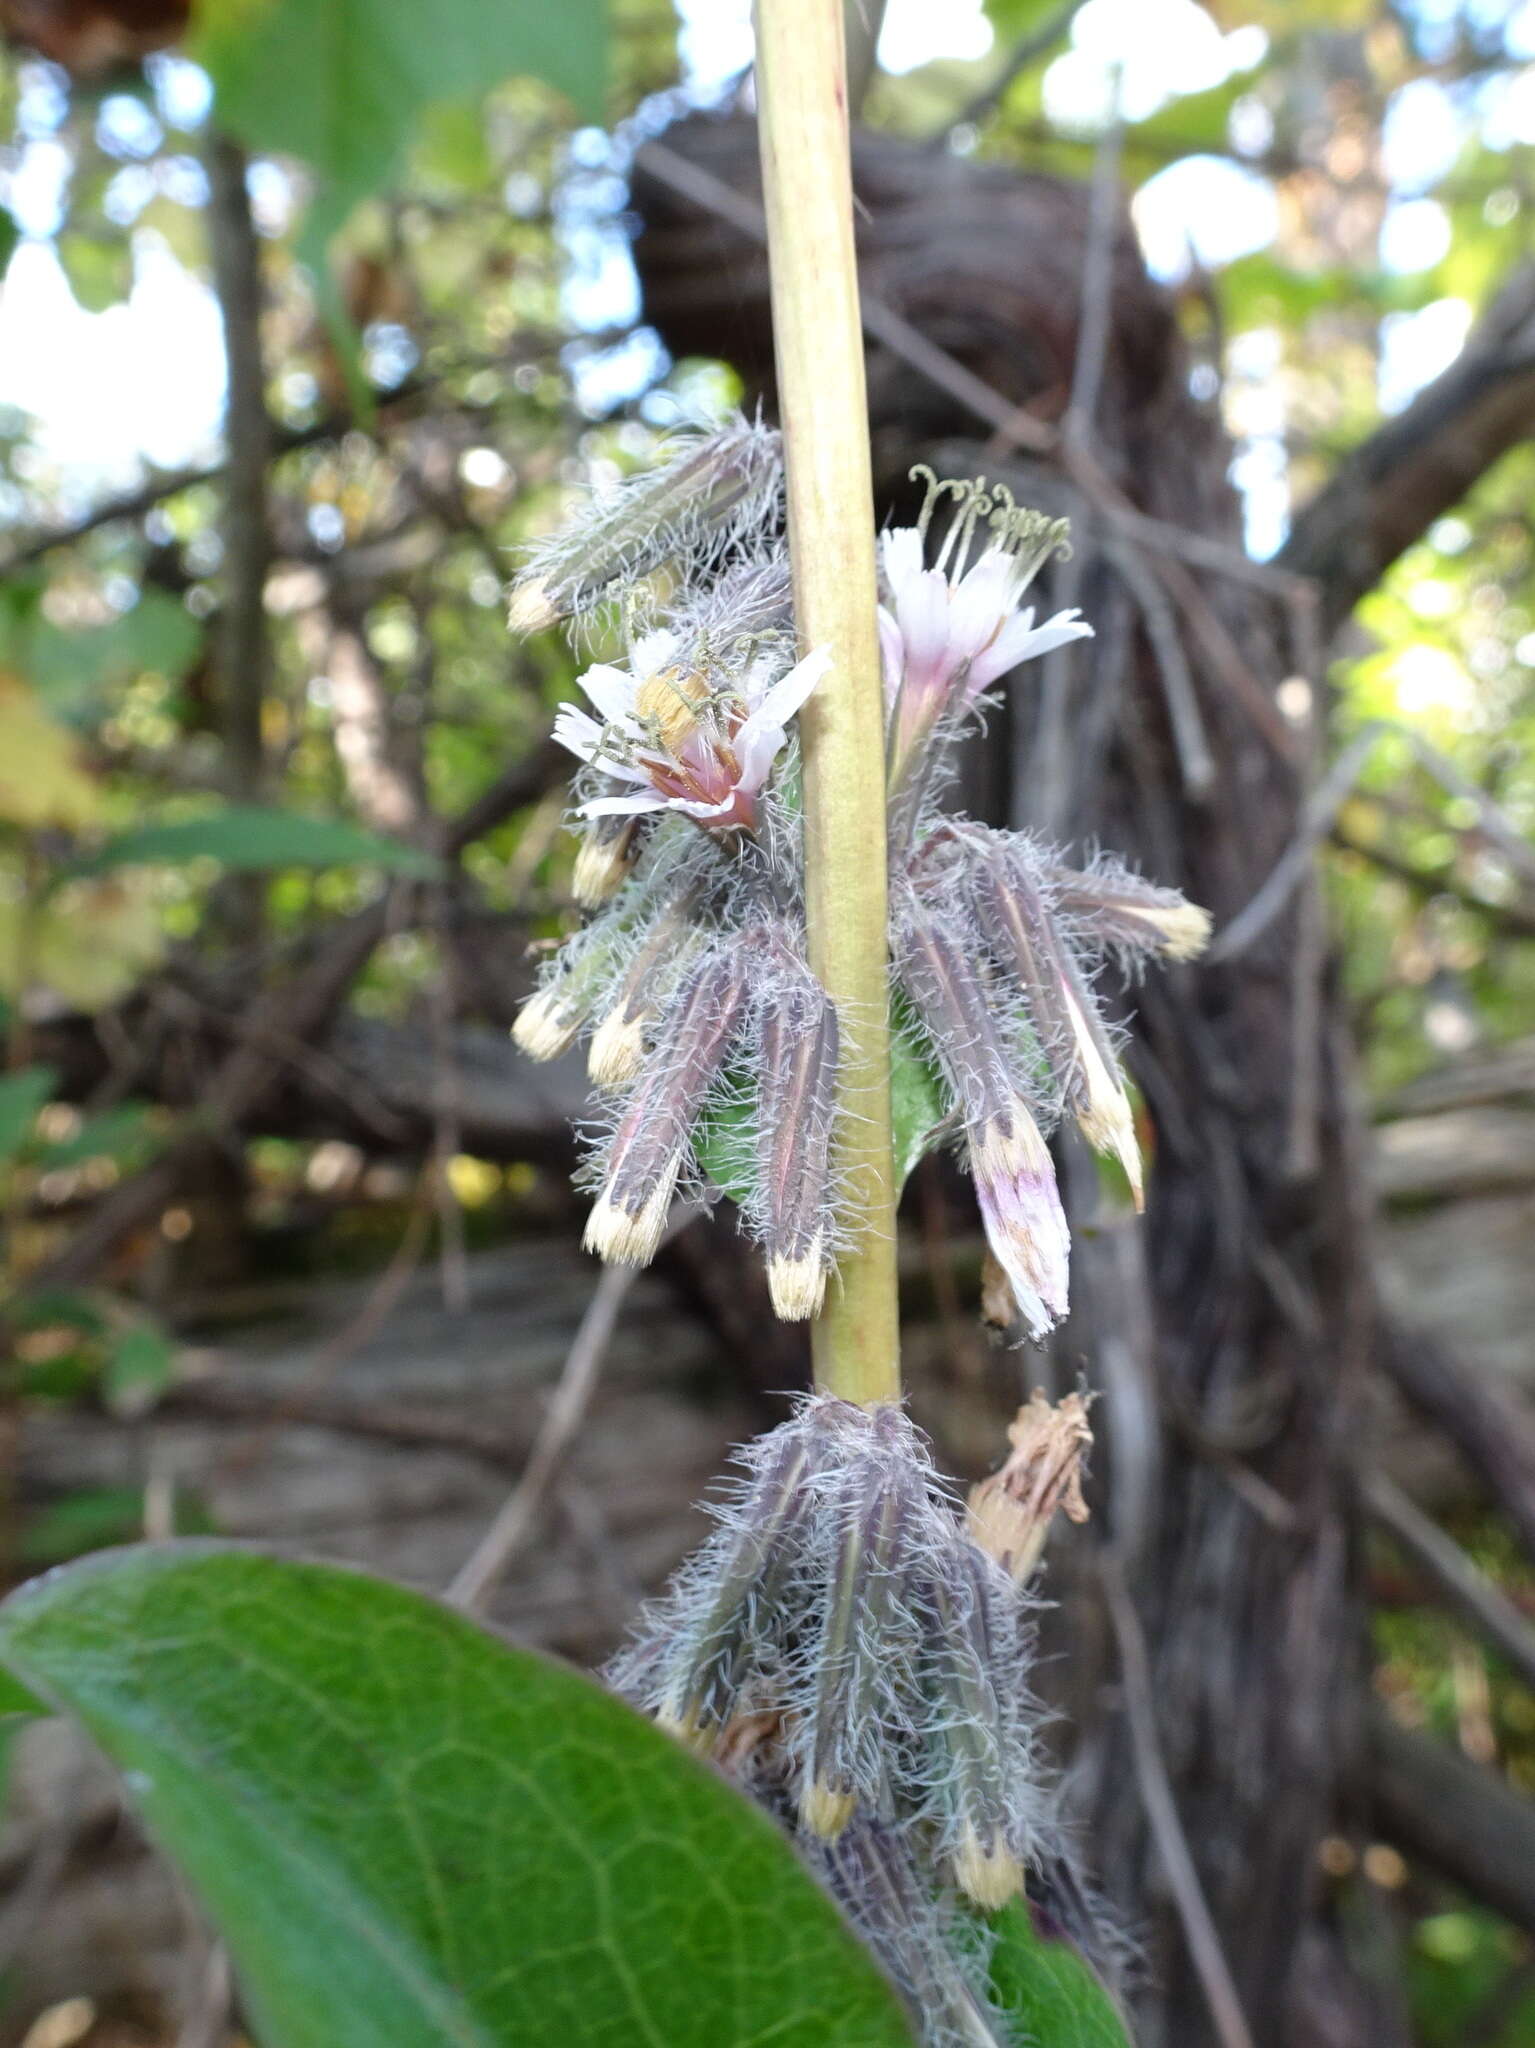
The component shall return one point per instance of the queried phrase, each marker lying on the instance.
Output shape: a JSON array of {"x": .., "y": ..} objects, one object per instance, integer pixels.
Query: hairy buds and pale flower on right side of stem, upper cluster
[{"x": 996, "y": 941}]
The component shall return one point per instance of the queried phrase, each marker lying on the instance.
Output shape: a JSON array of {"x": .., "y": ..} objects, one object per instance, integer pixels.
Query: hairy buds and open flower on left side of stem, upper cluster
[{"x": 709, "y": 1031}]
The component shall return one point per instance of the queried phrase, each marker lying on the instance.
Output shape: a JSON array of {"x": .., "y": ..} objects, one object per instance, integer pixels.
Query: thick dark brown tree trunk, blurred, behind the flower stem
[{"x": 1229, "y": 1334}]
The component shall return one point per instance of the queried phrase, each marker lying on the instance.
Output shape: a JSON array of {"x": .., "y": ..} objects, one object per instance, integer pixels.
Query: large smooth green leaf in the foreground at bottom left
[{"x": 416, "y": 1836}]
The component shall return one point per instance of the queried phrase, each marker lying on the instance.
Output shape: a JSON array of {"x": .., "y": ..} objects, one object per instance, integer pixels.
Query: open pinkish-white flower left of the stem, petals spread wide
[{"x": 683, "y": 742}]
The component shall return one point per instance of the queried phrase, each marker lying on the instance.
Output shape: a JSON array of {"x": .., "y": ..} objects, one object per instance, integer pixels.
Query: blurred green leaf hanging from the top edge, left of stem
[{"x": 343, "y": 85}]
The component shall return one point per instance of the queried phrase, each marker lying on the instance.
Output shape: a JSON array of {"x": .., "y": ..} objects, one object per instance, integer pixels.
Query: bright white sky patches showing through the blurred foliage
[{"x": 144, "y": 382}]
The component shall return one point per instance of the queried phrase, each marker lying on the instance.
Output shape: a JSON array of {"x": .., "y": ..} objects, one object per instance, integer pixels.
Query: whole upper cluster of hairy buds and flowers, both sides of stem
[{"x": 713, "y": 1043}]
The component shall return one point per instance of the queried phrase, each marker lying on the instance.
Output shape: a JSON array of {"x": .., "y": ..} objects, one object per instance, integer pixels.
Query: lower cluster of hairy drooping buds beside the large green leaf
[{"x": 859, "y": 1658}]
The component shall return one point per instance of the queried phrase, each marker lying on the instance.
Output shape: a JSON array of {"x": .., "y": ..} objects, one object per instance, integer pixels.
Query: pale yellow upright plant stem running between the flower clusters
[{"x": 820, "y": 345}]
